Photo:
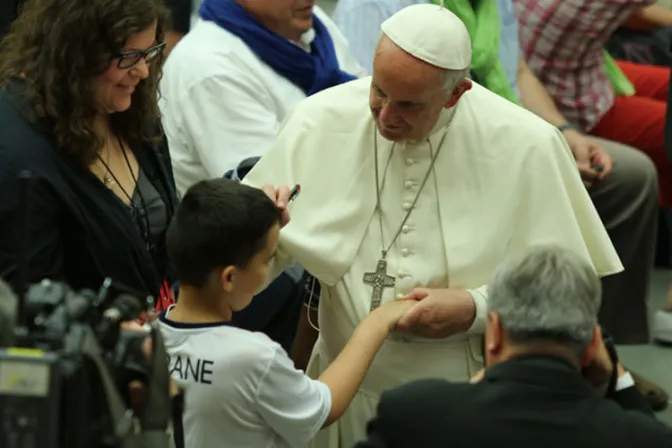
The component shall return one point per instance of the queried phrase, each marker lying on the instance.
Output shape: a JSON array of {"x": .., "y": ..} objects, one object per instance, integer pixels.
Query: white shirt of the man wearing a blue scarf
[{"x": 221, "y": 104}]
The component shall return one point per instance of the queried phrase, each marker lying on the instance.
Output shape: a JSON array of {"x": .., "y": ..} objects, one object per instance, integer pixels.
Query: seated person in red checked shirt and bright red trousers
[{"x": 563, "y": 43}]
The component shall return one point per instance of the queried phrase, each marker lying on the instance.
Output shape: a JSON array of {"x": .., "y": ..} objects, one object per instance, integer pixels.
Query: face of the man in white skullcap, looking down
[{"x": 407, "y": 95}]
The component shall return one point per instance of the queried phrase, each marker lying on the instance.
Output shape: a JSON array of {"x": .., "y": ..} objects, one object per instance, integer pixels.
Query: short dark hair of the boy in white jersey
[{"x": 219, "y": 223}]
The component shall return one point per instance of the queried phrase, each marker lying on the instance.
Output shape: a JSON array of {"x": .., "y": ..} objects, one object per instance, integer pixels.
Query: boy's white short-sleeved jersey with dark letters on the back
[{"x": 241, "y": 388}]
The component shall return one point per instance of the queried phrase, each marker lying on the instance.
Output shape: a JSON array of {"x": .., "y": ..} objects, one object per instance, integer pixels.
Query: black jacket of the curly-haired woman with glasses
[{"x": 79, "y": 231}]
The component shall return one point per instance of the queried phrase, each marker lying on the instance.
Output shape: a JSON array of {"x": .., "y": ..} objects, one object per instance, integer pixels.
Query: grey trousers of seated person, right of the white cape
[{"x": 628, "y": 206}]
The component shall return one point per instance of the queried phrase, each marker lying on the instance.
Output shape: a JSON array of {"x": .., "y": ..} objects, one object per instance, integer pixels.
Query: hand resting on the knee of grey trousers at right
[{"x": 588, "y": 154}]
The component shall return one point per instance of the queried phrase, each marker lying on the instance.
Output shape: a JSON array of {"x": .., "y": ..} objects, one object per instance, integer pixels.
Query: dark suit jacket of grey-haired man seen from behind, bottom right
[{"x": 530, "y": 402}]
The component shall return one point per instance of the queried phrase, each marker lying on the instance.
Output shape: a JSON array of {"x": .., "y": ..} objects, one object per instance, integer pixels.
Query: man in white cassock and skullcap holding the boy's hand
[{"x": 417, "y": 181}]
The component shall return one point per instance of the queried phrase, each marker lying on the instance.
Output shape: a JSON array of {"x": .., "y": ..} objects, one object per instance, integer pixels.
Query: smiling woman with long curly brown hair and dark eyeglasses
[{"x": 78, "y": 111}]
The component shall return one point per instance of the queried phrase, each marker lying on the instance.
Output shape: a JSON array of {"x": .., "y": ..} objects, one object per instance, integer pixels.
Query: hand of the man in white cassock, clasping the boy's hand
[{"x": 440, "y": 314}]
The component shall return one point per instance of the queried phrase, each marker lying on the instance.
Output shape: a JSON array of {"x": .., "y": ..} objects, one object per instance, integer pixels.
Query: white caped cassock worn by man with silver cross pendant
[{"x": 505, "y": 181}]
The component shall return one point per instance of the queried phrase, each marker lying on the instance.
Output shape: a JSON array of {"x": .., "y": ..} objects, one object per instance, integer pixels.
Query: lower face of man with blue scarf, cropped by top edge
[{"x": 289, "y": 18}]
